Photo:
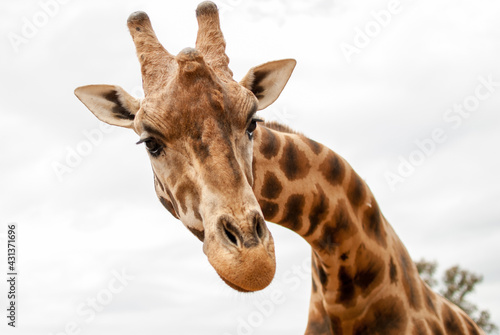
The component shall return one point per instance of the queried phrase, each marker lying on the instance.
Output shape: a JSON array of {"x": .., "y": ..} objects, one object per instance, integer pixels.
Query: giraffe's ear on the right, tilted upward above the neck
[{"x": 266, "y": 81}]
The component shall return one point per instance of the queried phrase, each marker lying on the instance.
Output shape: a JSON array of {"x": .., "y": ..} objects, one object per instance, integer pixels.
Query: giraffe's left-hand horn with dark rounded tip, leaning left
[{"x": 155, "y": 60}]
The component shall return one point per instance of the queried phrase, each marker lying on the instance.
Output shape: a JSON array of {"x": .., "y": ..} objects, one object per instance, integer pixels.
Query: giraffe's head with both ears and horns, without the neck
[{"x": 197, "y": 124}]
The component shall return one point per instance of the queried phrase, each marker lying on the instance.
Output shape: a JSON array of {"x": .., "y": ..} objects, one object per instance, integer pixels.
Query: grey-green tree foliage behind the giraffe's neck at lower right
[{"x": 458, "y": 283}]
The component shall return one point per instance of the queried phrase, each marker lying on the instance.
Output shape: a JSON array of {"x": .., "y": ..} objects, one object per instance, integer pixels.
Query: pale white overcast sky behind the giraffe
[{"x": 104, "y": 215}]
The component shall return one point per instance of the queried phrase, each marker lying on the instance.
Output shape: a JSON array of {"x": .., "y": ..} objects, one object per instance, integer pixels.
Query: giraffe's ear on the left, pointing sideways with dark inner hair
[{"x": 110, "y": 103}]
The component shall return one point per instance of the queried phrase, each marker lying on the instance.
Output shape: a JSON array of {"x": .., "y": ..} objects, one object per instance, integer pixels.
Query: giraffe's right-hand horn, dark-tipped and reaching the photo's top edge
[{"x": 210, "y": 40}]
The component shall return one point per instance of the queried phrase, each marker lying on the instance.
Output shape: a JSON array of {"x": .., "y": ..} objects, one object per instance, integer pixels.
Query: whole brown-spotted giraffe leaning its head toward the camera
[{"x": 223, "y": 172}]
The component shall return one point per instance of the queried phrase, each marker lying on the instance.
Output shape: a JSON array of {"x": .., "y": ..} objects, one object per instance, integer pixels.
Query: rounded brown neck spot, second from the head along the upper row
[{"x": 294, "y": 162}]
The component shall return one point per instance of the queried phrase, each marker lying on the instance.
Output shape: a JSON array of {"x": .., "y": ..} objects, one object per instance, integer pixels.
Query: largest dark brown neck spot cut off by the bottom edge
[{"x": 385, "y": 317}]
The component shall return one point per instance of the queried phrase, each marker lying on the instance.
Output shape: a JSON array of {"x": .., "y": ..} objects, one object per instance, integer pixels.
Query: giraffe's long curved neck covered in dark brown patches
[{"x": 362, "y": 275}]
